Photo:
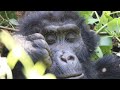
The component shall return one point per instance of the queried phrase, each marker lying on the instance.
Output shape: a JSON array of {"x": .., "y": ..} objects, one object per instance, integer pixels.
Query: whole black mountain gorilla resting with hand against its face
[{"x": 63, "y": 41}]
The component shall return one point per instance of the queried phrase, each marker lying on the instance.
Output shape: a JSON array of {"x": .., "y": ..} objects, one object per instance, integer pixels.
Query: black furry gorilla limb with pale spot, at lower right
[{"x": 108, "y": 67}]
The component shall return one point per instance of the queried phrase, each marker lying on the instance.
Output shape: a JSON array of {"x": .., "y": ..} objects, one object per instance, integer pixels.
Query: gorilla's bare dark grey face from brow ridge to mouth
[{"x": 65, "y": 42}]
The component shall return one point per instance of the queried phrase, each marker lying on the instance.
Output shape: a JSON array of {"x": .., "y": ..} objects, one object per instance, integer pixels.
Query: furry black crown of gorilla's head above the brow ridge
[{"x": 39, "y": 19}]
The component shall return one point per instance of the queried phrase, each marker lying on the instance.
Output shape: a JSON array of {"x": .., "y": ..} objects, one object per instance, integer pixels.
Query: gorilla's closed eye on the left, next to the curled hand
[{"x": 50, "y": 38}]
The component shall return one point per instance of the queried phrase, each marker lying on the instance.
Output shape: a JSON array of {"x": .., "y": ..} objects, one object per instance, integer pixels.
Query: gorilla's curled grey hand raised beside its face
[{"x": 36, "y": 47}]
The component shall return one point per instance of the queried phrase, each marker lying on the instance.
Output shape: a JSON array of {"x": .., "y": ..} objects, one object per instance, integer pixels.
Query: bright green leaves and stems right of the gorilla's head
[{"x": 107, "y": 25}]
